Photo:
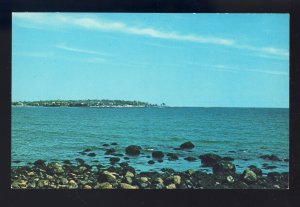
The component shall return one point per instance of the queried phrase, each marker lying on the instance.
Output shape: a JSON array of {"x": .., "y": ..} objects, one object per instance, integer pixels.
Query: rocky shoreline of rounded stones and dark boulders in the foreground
[{"x": 120, "y": 175}]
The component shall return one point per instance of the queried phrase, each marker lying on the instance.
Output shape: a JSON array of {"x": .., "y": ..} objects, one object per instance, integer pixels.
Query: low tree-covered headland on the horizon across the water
[{"x": 104, "y": 103}]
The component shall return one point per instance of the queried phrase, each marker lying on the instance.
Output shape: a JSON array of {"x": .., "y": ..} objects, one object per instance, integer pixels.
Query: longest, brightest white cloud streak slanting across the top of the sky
[{"x": 103, "y": 25}]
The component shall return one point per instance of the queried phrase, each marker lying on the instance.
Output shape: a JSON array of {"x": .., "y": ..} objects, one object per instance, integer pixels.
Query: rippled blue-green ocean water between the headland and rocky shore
[{"x": 57, "y": 134}]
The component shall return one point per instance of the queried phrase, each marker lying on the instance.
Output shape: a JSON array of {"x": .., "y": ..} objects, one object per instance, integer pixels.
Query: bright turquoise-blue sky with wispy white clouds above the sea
[{"x": 195, "y": 60}]
